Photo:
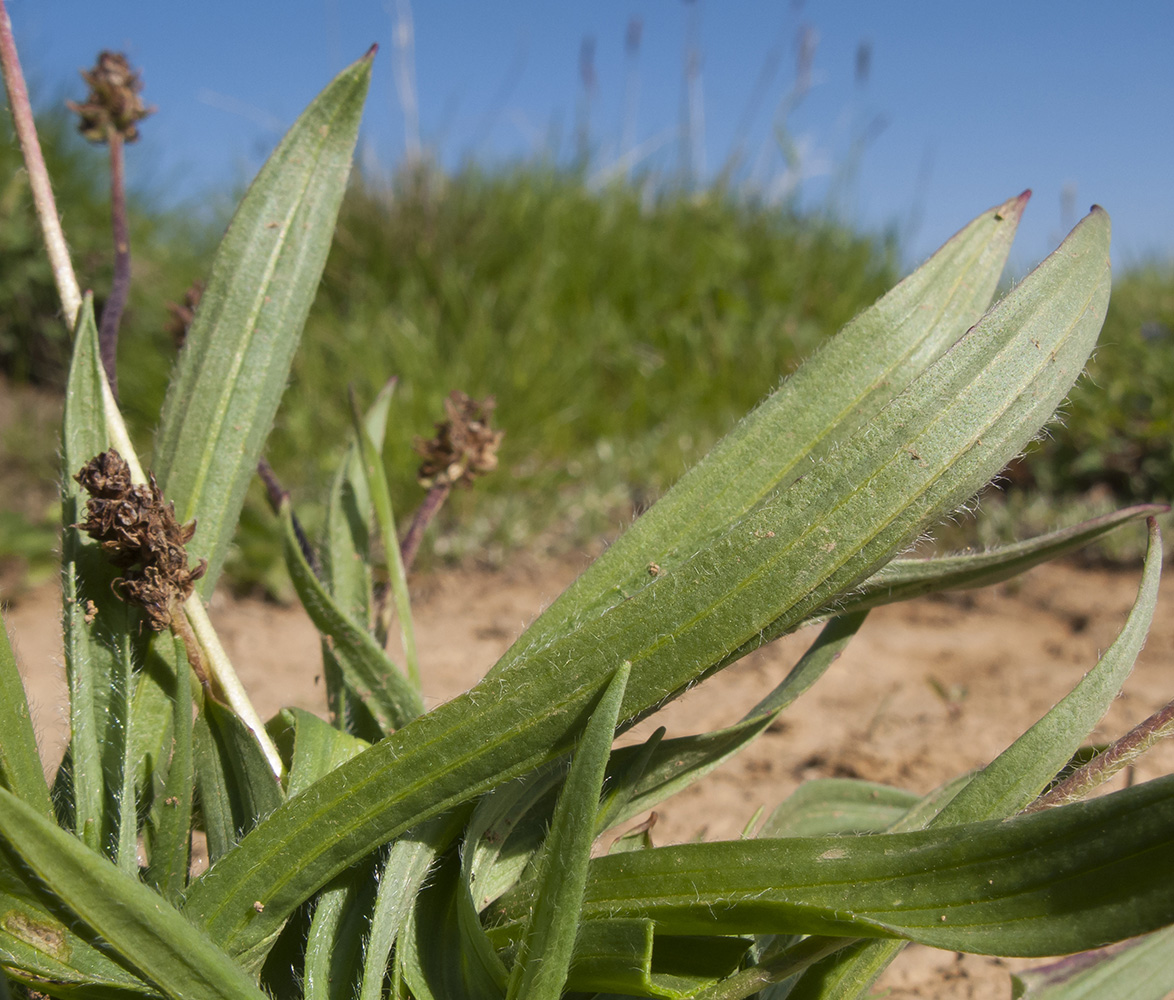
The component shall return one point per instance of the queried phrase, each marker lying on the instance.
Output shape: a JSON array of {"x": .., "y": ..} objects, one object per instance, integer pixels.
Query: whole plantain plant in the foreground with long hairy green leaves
[{"x": 451, "y": 854}]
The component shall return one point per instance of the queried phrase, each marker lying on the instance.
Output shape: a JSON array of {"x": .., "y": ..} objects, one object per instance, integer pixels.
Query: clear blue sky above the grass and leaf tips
[{"x": 964, "y": 104}]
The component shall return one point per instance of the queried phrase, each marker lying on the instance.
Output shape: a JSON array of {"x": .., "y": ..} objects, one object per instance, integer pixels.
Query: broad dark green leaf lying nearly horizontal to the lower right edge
[{"x": 1049, "y": 883}]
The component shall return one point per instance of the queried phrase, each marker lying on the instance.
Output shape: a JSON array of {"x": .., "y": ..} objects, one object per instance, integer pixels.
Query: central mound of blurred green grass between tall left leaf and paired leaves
[{"x": 620, "y": 334}]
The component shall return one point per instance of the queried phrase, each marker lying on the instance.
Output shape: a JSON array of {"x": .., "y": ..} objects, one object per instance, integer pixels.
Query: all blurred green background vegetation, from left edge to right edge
[{"x": 622, "y": 330}]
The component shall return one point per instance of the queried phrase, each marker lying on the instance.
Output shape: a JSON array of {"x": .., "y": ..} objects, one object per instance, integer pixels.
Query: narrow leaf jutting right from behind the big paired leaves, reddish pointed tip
[{"x": 905, "y": 579}]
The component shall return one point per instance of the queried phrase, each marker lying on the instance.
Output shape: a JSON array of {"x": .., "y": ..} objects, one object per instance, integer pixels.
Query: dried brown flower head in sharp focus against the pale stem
[{"x": 139, "y": 533}]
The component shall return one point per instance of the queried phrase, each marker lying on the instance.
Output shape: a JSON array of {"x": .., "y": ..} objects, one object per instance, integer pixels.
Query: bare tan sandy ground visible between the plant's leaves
[{"x": 927, "y": 691}]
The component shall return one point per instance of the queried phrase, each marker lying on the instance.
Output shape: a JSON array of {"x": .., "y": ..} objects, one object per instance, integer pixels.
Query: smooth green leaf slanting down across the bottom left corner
[{"x": 136, "y": 924}]
